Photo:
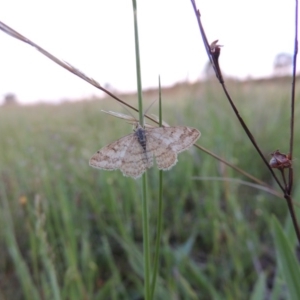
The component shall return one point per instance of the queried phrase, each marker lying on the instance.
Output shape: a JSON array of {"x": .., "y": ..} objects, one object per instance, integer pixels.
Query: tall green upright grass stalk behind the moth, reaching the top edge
[{"x": 144, "y": 176}]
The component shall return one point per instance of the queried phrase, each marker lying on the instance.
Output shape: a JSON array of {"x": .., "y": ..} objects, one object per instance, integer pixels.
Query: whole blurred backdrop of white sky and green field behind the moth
[{"x": 69, "y": 231}]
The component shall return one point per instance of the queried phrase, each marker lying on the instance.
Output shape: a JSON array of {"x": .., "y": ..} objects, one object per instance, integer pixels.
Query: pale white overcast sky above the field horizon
[{"x": 97, "y": 37}]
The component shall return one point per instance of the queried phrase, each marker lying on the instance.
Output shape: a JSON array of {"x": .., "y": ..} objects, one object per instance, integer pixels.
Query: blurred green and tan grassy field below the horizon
[{"x": 69, "y": 231}]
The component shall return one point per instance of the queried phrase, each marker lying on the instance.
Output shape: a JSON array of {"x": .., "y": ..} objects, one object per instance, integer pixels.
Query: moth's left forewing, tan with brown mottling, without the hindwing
[{"x": 111, "y": 156}]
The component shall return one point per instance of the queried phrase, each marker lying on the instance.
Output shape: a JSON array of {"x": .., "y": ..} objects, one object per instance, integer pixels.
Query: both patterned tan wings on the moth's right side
[{"x": 167, "y": 142}]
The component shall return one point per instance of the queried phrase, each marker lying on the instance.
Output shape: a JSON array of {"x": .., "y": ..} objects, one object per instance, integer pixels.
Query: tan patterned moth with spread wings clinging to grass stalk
[{"x": 133, "y": 154}]
